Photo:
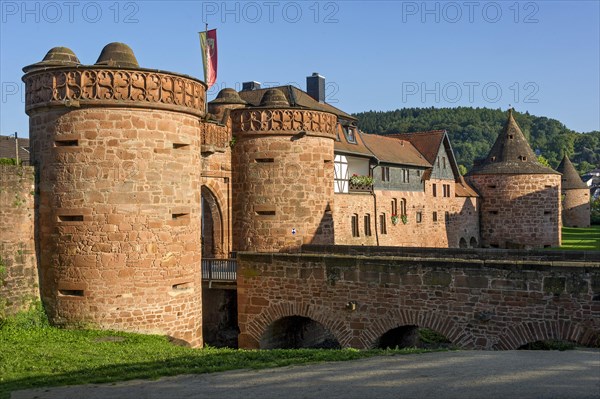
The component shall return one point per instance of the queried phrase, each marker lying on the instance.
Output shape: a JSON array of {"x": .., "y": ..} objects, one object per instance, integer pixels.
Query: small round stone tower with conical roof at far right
[{"x": 575, "y": 196}]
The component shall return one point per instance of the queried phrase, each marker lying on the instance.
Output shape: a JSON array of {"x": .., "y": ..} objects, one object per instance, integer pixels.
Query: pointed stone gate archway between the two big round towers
[{"x": 212, "y": 226}]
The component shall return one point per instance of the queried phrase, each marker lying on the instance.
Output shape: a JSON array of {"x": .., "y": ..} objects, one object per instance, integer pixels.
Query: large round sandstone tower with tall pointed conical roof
[{"x": 520, "y": 198}]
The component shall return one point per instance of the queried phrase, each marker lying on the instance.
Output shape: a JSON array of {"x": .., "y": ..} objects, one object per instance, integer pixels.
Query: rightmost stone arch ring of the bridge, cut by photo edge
[{"x": 513, "y": 337}]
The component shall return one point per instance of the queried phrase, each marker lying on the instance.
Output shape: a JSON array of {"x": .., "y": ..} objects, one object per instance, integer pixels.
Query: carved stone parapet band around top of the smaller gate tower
[{"x": 283, "y": 121}]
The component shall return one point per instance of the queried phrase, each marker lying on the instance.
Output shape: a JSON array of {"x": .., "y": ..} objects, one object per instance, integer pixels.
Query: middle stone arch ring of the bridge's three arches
[{"x": 434, "y": 321}]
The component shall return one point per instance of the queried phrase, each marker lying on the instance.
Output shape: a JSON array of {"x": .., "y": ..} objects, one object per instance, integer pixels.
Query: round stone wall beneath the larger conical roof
[{"x": 519, "y": 210}]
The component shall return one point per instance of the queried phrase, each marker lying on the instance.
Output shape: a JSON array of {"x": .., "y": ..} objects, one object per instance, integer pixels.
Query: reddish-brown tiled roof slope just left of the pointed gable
[{"x": 394, "y": 151}]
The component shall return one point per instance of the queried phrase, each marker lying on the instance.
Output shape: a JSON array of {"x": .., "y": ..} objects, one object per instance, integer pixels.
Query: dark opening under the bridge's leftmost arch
[{"x": 296, "y": 332}]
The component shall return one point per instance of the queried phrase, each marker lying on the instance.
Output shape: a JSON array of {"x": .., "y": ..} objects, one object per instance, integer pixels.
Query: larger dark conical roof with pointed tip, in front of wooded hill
[{"x": 511, "y": 154}]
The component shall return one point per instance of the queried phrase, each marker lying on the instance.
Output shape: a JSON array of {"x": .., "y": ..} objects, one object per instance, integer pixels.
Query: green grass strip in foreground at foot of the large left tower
[{"x": 33, "y": 354}]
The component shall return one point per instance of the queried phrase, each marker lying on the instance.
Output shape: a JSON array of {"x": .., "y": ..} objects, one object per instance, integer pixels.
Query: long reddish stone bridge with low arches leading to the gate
[{"x": 478, "y": 299}]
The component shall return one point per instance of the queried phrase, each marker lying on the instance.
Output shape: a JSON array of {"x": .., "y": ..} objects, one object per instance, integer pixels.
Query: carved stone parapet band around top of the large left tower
[{"x": 94, "y": 86}]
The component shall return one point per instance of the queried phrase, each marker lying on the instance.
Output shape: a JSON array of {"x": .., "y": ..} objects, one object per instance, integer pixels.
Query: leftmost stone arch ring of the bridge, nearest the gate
[{"x": 251, "y": 337}]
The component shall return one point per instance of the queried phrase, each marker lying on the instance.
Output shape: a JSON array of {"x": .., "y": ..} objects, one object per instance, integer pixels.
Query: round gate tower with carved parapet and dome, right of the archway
[{"x": 282, "y": 167}]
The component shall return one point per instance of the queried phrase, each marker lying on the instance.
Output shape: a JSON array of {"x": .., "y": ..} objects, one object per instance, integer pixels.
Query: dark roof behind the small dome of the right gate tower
[{"x": 296, "y": 98}]
